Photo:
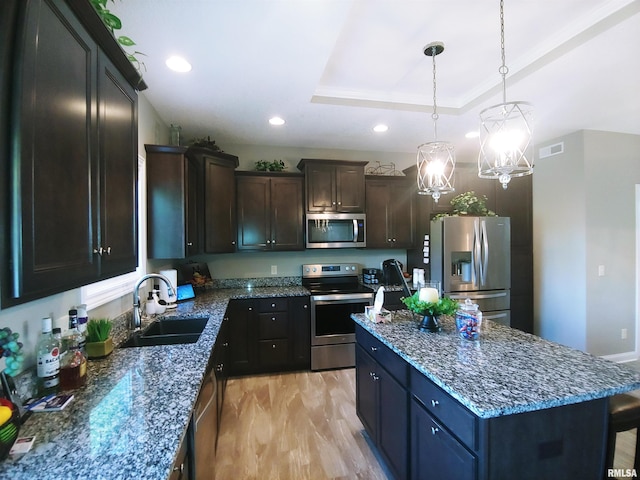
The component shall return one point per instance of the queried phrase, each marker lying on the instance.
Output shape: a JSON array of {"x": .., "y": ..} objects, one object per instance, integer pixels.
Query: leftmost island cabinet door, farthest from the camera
[{"x": 366, "y": 392}]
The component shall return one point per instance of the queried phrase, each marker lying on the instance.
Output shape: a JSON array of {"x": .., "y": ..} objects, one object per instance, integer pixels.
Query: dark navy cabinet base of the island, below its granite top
[{"x": 439, "y": 438}]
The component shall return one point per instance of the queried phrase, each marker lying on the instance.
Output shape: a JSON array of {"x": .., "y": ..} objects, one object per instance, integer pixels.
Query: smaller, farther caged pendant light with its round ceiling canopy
[{"x": 436, "y": 160}]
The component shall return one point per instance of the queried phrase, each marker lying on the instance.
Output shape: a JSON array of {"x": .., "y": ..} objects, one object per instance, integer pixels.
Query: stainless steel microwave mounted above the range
[{"x": 336, "y": 230}]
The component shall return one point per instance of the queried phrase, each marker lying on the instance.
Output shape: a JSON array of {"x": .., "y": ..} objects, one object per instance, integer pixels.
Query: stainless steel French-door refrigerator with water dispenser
[{"x": 471, "y": 258}]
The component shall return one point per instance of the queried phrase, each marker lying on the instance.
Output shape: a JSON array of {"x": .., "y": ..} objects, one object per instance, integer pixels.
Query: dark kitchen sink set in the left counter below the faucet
[{"x": 169, "y": 331}]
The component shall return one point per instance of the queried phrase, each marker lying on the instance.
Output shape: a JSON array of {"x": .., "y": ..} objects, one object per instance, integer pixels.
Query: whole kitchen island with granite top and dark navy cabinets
[{"x": 511, "y": 405}]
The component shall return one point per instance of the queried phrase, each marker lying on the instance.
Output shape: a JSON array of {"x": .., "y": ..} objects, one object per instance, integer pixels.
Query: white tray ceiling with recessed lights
[{"x": 333, "y": 69}]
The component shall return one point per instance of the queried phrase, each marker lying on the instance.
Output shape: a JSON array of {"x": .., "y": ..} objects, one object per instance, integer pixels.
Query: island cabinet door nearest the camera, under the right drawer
[{"x": 435, "y": 454}]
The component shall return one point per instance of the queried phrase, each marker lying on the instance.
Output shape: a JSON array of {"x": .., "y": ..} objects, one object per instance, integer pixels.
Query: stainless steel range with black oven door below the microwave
[{"x": 336, "y": 293}]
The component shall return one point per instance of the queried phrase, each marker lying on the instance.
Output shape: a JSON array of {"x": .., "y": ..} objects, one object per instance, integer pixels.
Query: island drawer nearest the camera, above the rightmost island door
[{"x": 453, "y": 415}]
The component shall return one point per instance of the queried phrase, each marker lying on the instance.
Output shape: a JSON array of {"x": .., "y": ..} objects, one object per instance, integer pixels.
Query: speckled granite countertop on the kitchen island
[{"x": 507, "y": 371}]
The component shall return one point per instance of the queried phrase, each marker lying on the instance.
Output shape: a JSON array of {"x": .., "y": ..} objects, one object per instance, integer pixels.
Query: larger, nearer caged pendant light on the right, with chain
[{"x": 506, "y": 133}]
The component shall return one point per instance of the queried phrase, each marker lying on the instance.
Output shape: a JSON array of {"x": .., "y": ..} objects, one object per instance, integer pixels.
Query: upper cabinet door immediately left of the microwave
[{"x": 286, "y": 214}]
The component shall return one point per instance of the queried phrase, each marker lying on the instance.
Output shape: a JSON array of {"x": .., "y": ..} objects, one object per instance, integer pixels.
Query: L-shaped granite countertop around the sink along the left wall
[{"x": 129, "y": 419}]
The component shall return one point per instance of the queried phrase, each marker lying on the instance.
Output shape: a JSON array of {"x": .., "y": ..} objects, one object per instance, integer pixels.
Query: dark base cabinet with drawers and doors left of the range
[{"x": 268, "y": 335}]
